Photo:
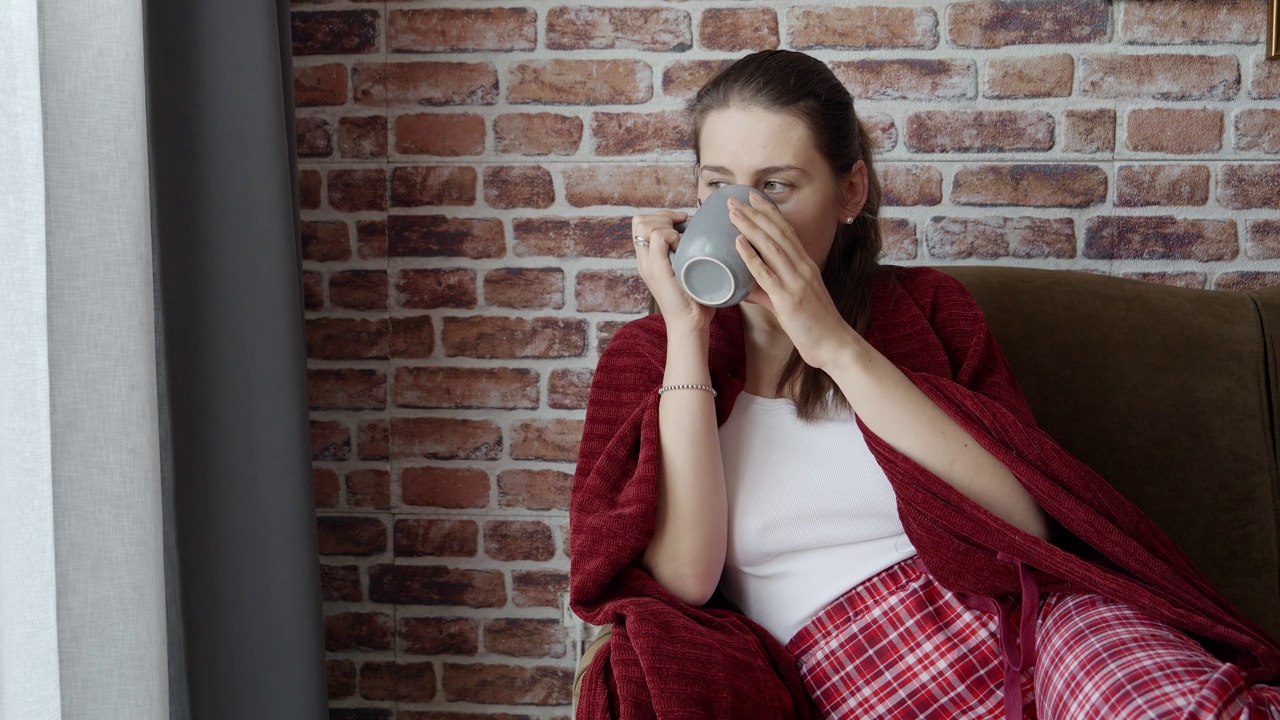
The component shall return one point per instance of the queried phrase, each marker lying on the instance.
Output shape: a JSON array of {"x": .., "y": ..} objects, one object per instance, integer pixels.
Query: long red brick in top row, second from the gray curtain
[{"x": 450, "y": 30}]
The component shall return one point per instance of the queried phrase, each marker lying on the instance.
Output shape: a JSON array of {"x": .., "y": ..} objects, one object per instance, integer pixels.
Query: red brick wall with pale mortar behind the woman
[{"x": 468, "y": 175}]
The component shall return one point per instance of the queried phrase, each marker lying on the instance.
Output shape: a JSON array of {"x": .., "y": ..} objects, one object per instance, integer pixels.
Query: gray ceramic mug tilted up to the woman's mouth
[{"x": 707, "y": 262}]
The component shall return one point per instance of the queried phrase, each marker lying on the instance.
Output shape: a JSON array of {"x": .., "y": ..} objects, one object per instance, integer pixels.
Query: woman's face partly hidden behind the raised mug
[{"x": 774, "y": 153}]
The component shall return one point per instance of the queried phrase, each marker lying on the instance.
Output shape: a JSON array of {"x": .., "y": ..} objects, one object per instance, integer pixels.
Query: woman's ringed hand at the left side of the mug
[{"x": 655, "y": 266}]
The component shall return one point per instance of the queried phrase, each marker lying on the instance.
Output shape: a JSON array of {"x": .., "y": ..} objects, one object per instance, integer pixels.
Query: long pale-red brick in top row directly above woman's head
[{"x": 862, "y": 28}]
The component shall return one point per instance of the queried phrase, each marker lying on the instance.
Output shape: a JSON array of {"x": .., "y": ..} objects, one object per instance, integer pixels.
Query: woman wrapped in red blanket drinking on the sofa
[{"x": 848, "y": 459}]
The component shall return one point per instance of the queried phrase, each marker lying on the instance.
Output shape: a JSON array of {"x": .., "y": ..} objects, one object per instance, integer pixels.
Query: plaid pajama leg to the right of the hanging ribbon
[{"x": 1103, "y": 659}]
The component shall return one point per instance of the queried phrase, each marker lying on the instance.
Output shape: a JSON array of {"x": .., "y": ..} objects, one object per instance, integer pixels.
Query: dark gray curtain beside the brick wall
[{"x": 239, "y": 466}]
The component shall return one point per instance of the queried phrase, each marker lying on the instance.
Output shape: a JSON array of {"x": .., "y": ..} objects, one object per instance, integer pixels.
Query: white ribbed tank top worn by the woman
[{"x": 811, "y": 513}]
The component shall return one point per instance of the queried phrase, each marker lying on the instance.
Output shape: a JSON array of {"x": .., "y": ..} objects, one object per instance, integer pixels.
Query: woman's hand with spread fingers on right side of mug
[{"x": 789, "y": 284}]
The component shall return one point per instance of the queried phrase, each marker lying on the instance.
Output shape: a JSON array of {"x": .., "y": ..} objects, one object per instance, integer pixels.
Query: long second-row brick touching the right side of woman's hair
[{"x": 909, "y": 80}]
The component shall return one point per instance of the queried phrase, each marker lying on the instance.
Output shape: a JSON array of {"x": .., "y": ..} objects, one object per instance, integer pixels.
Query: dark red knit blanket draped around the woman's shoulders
[{"x": 666, "y": 659}]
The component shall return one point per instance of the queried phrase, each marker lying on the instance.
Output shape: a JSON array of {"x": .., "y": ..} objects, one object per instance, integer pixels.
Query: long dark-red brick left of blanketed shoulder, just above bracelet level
[{"x": 514, "y": 338}]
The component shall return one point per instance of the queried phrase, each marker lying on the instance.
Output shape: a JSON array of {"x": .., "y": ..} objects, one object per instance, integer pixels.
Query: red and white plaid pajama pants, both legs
[{"x": 902, "y": 646}]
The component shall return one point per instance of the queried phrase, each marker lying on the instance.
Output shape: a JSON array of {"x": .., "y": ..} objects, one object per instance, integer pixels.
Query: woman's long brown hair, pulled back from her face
[{"x": 807, "y": 89}]
